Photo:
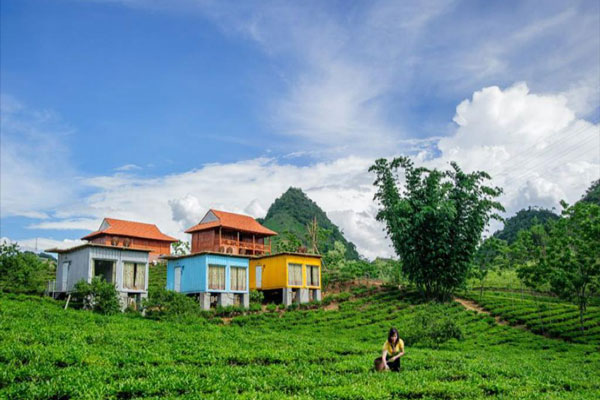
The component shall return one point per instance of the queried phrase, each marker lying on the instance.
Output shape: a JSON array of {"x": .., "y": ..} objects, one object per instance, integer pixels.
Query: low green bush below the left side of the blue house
[{"x": 168, "y": 304}]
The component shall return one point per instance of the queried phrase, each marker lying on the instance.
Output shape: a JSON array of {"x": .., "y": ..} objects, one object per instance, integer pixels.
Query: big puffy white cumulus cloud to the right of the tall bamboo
[{"x": 532, "y": 145}]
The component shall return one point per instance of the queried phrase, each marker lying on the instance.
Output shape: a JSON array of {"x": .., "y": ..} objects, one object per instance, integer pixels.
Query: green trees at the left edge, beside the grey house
[{"x": 23, "y": 272}]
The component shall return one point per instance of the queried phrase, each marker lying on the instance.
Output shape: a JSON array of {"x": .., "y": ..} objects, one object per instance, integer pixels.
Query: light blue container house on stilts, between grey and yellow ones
[{"x": 215, "y": 278}]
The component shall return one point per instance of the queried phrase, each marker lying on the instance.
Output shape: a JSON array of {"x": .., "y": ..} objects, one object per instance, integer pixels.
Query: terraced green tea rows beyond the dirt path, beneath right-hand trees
[{"x": 544, "y": 315}]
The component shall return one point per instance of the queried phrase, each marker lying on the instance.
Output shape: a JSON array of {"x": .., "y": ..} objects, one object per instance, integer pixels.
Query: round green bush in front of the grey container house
[{"x": 98, "y": 295}]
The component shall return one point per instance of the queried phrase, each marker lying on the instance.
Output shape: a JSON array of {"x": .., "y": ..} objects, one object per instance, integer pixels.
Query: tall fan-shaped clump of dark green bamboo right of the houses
[{"x": 436, "y": 222}]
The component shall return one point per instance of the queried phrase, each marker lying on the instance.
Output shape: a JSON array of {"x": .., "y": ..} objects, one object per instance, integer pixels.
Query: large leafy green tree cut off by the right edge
[{"x": 570, "y": 262}]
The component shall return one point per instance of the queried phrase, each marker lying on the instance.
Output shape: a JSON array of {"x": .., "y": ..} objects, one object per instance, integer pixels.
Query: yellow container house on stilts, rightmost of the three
[{"x": 287, "y": 277}]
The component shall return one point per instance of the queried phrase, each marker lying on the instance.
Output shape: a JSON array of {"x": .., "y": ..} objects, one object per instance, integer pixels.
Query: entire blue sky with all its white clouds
[{"x": 181, "y": 102}]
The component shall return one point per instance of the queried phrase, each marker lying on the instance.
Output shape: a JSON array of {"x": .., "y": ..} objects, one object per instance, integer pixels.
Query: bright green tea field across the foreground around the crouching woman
[{"x": 49, "y": 353}]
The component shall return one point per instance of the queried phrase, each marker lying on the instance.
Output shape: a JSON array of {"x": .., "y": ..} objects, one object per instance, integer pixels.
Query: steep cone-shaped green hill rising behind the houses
[{"x": 293, "y": 211}]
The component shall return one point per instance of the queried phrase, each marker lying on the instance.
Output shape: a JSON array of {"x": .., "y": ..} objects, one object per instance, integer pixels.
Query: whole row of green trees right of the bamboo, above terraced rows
[{"x": 562, "y": 255}]
